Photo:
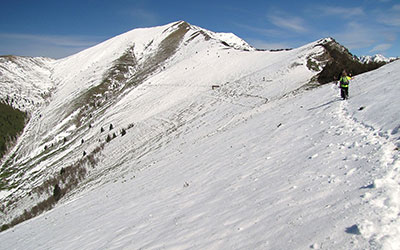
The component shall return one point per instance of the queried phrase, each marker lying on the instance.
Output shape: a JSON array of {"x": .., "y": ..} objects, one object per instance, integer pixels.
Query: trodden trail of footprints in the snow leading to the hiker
[{"x": 381, "y": 224}]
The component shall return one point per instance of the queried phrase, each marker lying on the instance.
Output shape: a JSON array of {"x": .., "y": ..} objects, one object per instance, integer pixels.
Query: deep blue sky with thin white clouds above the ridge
[{"x": 61, "y": 28}]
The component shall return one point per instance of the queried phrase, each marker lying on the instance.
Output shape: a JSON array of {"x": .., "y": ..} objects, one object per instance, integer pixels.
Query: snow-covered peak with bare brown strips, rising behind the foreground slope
[{"x": 127, "y": 83}]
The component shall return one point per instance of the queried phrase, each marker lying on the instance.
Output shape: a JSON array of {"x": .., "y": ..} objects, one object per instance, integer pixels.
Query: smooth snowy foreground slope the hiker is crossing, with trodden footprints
[{"x": 325, "y": 178}]
